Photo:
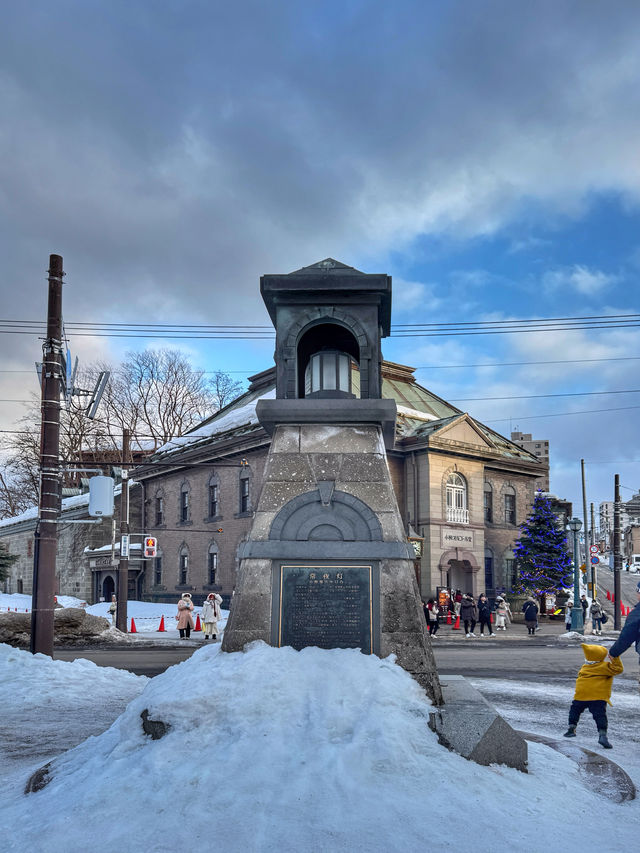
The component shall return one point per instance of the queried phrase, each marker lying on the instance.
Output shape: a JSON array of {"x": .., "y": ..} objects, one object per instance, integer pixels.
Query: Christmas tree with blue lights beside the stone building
[{"x": 541, "y": 558}]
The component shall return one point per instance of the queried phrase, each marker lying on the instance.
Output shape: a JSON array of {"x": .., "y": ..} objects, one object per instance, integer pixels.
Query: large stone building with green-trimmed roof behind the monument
[{"x": 462, "y": 489}]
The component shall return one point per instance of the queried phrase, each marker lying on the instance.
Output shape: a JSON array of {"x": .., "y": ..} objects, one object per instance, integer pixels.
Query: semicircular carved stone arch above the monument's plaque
[{"x": 346, "y": 518}]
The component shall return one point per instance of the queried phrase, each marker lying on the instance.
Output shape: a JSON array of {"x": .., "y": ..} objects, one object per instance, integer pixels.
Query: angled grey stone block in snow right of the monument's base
[{"x": 471, "y": 726}]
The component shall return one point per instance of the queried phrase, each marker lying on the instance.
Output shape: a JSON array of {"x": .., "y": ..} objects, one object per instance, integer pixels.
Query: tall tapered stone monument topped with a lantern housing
[{"x": 327, "y": 562}]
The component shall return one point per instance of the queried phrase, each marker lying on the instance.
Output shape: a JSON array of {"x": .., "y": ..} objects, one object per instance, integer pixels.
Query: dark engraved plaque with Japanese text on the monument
[{"x": 326, "y": 606}]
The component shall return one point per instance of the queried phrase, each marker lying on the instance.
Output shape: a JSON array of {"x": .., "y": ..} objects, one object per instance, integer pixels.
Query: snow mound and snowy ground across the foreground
[{"x": 276, "y": 750}]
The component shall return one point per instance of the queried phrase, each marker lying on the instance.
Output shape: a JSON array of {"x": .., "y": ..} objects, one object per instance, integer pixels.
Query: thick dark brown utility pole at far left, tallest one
[{"x": 46, "y": 538}]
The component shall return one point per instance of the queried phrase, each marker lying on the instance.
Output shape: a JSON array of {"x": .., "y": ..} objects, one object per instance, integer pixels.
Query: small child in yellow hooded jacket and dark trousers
[{"x": 593, "y": 690}]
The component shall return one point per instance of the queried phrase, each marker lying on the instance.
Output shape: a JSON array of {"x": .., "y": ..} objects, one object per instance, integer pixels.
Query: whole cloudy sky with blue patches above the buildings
[{"x": 483, "y": 154}]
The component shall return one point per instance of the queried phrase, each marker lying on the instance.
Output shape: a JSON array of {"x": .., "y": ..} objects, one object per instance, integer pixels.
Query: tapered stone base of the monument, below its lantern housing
[{"x": 327, "y": 562}]
